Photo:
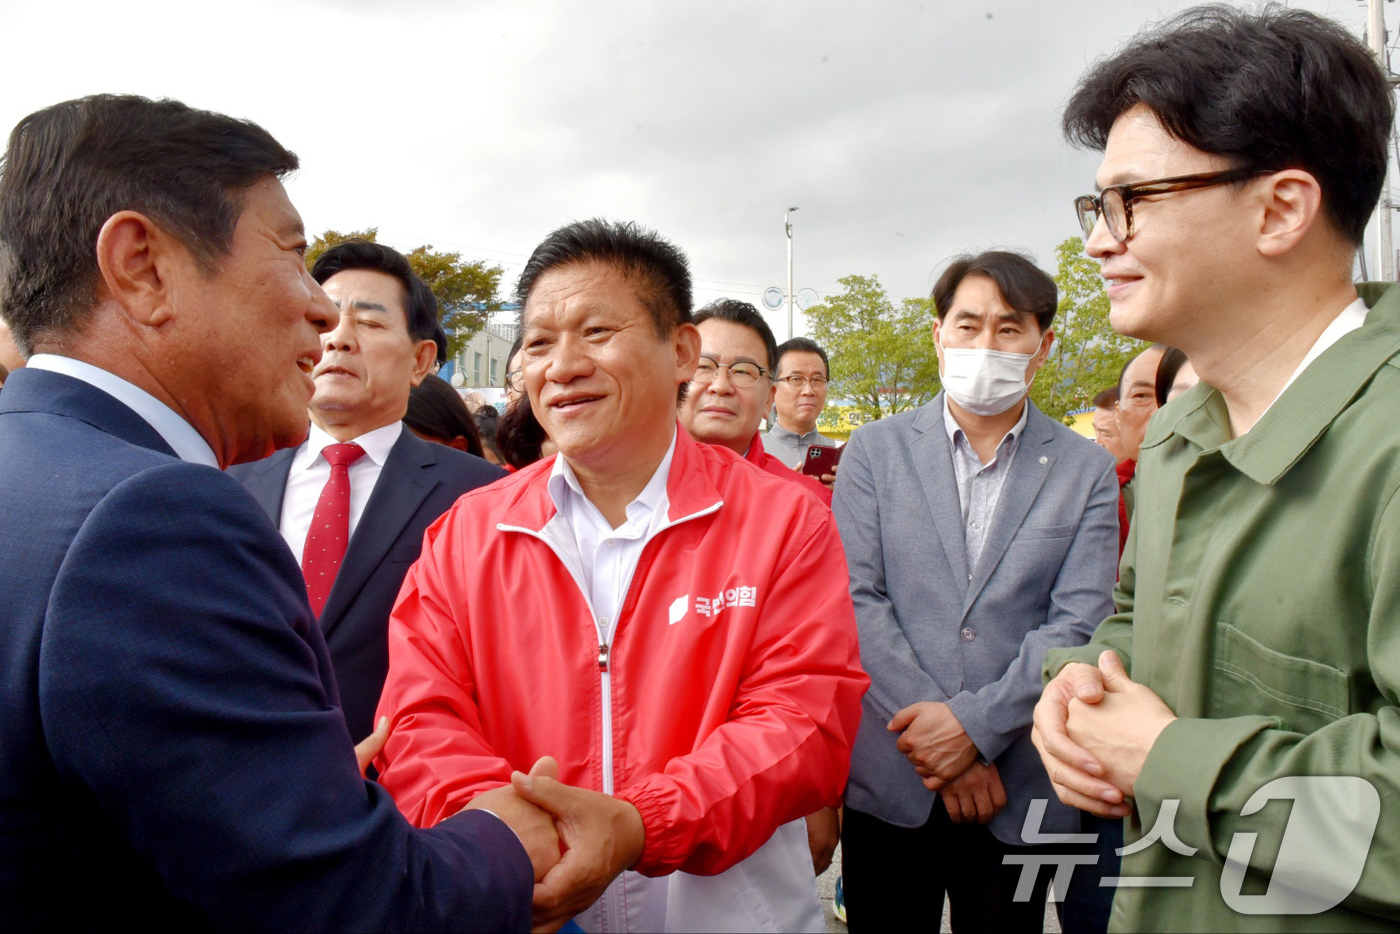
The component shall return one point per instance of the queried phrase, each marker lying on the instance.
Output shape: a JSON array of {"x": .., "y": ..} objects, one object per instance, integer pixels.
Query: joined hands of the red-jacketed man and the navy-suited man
[{"x": 579, "y": 841}]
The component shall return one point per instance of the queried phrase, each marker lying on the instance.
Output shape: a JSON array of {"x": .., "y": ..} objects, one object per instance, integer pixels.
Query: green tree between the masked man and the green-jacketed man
[{"x": 1087, "y": 355}]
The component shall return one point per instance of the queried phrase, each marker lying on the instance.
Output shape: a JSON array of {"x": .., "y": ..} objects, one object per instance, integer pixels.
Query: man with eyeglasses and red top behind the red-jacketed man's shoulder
[{"x": 733, "y": 390}]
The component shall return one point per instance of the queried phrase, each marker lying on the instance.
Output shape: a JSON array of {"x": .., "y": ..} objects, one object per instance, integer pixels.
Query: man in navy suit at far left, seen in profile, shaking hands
[{"x": 174, "y": 754}]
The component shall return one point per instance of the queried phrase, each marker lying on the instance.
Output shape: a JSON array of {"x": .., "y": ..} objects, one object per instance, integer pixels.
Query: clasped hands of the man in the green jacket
[{"x": 1095, "y": 727}]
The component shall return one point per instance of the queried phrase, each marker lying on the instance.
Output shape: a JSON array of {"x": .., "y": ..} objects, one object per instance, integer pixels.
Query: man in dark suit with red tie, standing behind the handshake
[{"x": 400, "y": 484}]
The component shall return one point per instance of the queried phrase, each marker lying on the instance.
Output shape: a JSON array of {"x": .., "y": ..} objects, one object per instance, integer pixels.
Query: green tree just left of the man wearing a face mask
[{"x": 883, "y": 356}]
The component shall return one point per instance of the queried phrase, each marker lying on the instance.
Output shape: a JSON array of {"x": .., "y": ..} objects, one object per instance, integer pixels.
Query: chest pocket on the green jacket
[{"x": 1252, "y": 678}]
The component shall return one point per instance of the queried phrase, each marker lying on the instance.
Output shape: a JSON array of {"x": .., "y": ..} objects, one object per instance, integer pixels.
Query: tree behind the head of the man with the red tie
[{"x": 467, "y": 292}]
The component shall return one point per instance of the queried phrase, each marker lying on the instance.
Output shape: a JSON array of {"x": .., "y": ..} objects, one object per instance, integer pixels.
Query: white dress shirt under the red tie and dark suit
[{"x": 310, "y": 473}]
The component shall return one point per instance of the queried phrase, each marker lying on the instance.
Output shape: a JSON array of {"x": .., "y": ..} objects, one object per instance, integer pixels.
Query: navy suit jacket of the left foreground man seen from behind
[{"x": 173, "y": 754}]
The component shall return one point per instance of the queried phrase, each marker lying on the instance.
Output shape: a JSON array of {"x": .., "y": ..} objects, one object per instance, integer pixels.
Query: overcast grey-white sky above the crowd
[{"x": 905, "y": 132}]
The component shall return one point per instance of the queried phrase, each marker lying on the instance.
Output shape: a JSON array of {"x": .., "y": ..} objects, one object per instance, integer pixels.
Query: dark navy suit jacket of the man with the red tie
[{"x": 418, "y": 485}]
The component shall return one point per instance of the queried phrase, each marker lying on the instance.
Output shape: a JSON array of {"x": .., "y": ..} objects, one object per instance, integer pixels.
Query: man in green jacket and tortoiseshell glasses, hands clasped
[{"x": 1242, "y": 708}]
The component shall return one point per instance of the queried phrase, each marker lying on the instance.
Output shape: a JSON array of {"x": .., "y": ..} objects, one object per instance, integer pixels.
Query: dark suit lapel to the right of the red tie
[{"x": 404, "y": 484}]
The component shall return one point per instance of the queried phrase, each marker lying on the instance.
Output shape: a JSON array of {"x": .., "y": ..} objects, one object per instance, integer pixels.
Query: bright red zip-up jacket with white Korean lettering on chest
[{"x": 724, "y": 706}]
